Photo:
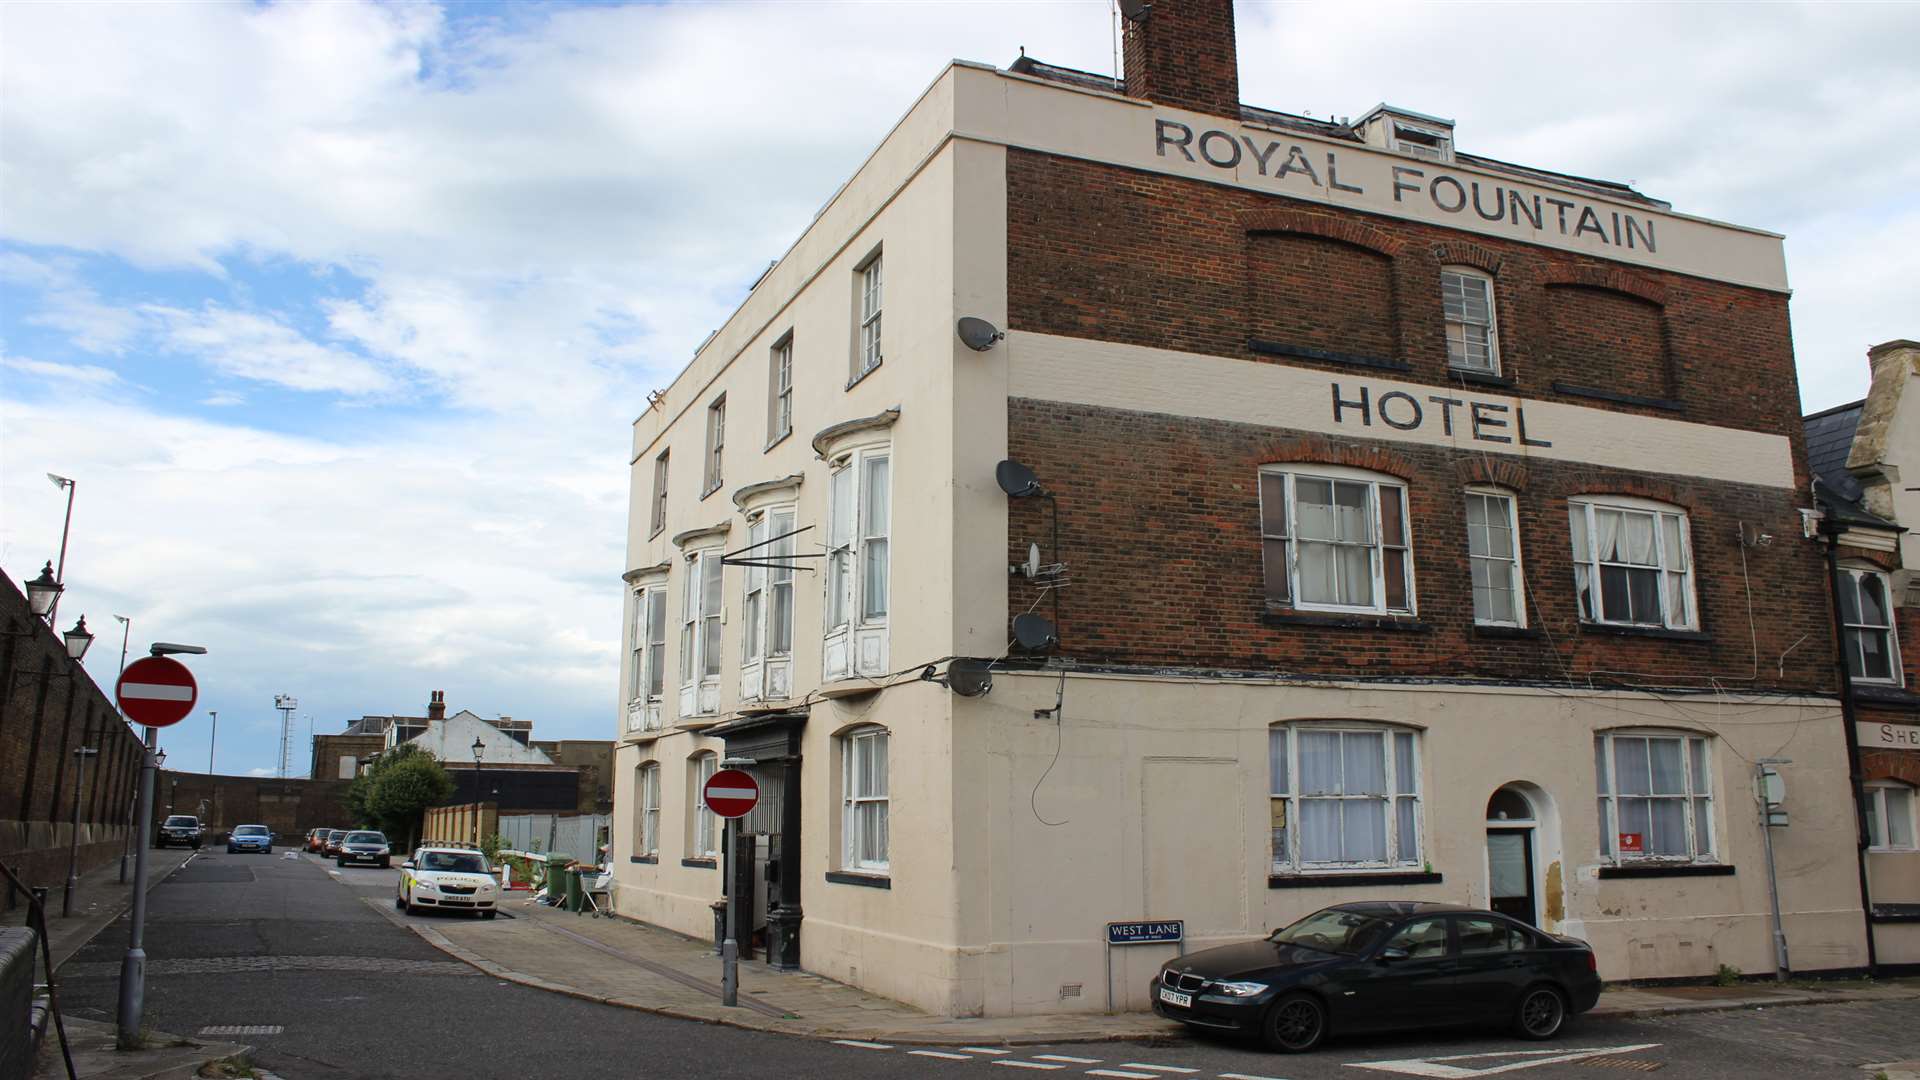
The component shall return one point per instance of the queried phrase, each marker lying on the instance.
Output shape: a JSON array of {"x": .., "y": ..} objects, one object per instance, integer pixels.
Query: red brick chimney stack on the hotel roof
[{"x": 1182, "y": 55}]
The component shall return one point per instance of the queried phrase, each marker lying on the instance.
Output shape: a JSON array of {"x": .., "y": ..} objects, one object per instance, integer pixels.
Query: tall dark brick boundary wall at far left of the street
[{"x": 49, "y": 708}]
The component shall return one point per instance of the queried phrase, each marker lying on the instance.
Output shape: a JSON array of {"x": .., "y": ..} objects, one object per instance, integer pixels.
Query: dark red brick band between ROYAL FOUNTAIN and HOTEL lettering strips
[{"x": 1115, "y": 255}]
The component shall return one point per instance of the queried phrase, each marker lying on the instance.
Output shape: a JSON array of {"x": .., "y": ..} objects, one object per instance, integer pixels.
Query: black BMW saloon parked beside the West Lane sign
[{"x": 1366, "y": 968}]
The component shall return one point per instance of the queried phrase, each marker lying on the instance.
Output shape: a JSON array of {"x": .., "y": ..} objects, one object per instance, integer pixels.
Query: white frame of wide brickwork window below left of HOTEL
[{"x": 1282, "y": 537}]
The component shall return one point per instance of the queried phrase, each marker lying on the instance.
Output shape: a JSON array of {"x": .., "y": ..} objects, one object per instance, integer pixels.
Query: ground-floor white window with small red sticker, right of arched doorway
[{"x": 1656, "y": 797}]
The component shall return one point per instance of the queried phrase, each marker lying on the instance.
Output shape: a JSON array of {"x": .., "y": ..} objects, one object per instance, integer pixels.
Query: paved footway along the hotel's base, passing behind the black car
[{"x": 671, "y": 975}]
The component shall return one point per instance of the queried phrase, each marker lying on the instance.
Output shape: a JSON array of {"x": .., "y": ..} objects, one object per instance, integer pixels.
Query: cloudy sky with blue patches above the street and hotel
[{"x": 339, "y": 312}]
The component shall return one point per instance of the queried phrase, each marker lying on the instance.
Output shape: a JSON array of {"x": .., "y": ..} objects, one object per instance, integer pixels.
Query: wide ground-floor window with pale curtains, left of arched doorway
[{"x": 1343, "y": 797}]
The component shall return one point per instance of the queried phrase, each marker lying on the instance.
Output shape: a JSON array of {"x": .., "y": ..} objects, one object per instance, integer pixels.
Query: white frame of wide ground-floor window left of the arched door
[{"x": 1401, "y": 800}]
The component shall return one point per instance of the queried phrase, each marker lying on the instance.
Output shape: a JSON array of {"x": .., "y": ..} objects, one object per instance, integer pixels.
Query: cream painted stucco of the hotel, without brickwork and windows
[{"x": 999, "y": 883}]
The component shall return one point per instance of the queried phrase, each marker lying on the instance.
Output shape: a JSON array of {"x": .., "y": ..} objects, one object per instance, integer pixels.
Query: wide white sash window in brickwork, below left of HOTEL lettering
[{"x": 1335, "y": 541}]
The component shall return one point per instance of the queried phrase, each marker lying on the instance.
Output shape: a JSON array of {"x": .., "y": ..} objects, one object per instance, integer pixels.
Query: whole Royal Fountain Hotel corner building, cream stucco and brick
[{"x": 1404, "y": 551}]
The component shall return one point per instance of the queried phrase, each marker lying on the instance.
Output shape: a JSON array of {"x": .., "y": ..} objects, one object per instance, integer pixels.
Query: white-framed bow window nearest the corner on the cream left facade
[{"x": 859, "y": 574}]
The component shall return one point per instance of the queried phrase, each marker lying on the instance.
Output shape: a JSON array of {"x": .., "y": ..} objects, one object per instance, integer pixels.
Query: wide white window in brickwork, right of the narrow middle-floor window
[{"x": 1633, "y": 564}]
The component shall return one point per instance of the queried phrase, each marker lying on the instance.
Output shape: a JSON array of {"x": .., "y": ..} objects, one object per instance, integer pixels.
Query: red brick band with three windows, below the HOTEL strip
[{"x": 1159, "y": 526}]
